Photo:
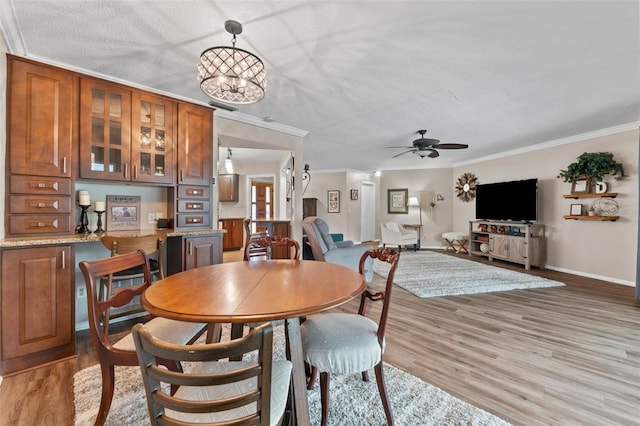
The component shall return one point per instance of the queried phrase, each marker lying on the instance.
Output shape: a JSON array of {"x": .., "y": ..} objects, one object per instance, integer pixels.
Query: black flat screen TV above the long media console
[{"x": 515, "y": 201}]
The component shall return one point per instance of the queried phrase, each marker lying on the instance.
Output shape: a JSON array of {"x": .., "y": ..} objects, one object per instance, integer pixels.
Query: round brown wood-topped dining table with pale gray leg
[{"x": 255, "y": 291}]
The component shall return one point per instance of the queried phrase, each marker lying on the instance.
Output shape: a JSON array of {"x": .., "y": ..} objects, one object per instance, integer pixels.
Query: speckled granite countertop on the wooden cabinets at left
[{"x": 90, "y": 238}]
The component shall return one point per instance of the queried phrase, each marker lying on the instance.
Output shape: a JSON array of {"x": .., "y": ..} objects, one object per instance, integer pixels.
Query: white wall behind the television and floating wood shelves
[{"x": 605, "y": 250}]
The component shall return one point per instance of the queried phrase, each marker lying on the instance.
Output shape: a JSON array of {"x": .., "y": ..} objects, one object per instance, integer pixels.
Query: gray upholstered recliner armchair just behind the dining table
[{"x": 324, "y": 249}]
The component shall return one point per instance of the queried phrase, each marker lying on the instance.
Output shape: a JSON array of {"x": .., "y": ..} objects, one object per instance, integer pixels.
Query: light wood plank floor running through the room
[{"x": 559, "y": 356}]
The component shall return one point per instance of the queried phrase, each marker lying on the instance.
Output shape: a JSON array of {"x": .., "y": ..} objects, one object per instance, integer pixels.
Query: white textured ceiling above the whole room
[{"x": 364, "y": 75}]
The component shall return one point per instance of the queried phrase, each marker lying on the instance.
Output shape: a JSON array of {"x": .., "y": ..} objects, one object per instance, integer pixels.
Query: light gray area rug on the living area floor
[{"x": 431, "y": 274}]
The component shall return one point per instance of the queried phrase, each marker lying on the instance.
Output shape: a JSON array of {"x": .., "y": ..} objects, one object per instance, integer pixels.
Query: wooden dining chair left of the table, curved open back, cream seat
[{"x": 122, "y": 350}]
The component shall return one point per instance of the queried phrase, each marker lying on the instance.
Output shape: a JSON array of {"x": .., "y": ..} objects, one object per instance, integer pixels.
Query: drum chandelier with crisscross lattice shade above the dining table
[{"x": 230, "y": 74}]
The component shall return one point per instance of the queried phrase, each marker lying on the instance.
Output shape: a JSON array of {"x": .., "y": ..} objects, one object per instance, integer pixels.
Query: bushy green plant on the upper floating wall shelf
[{"x": 592, "y": 166}]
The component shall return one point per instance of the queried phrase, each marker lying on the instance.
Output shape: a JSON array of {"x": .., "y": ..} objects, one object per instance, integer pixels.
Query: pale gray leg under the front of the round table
[{"x": 299, "y": 381}]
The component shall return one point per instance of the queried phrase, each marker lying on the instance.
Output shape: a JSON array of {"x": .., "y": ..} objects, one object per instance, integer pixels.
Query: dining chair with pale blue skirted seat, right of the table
[{"x": 345, "y": 343}]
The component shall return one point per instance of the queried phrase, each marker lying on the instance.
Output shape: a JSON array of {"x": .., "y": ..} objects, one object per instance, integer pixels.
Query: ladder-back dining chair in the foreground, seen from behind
[{"x": 212, "y": 390}]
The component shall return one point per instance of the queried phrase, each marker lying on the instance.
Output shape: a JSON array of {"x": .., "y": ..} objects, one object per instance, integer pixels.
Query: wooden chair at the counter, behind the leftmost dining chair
[{"x": 152, "y": 245}]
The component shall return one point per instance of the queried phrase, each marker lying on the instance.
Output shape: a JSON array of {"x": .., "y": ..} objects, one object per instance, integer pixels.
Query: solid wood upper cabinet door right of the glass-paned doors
[{"x": 195, "y": 144}]
